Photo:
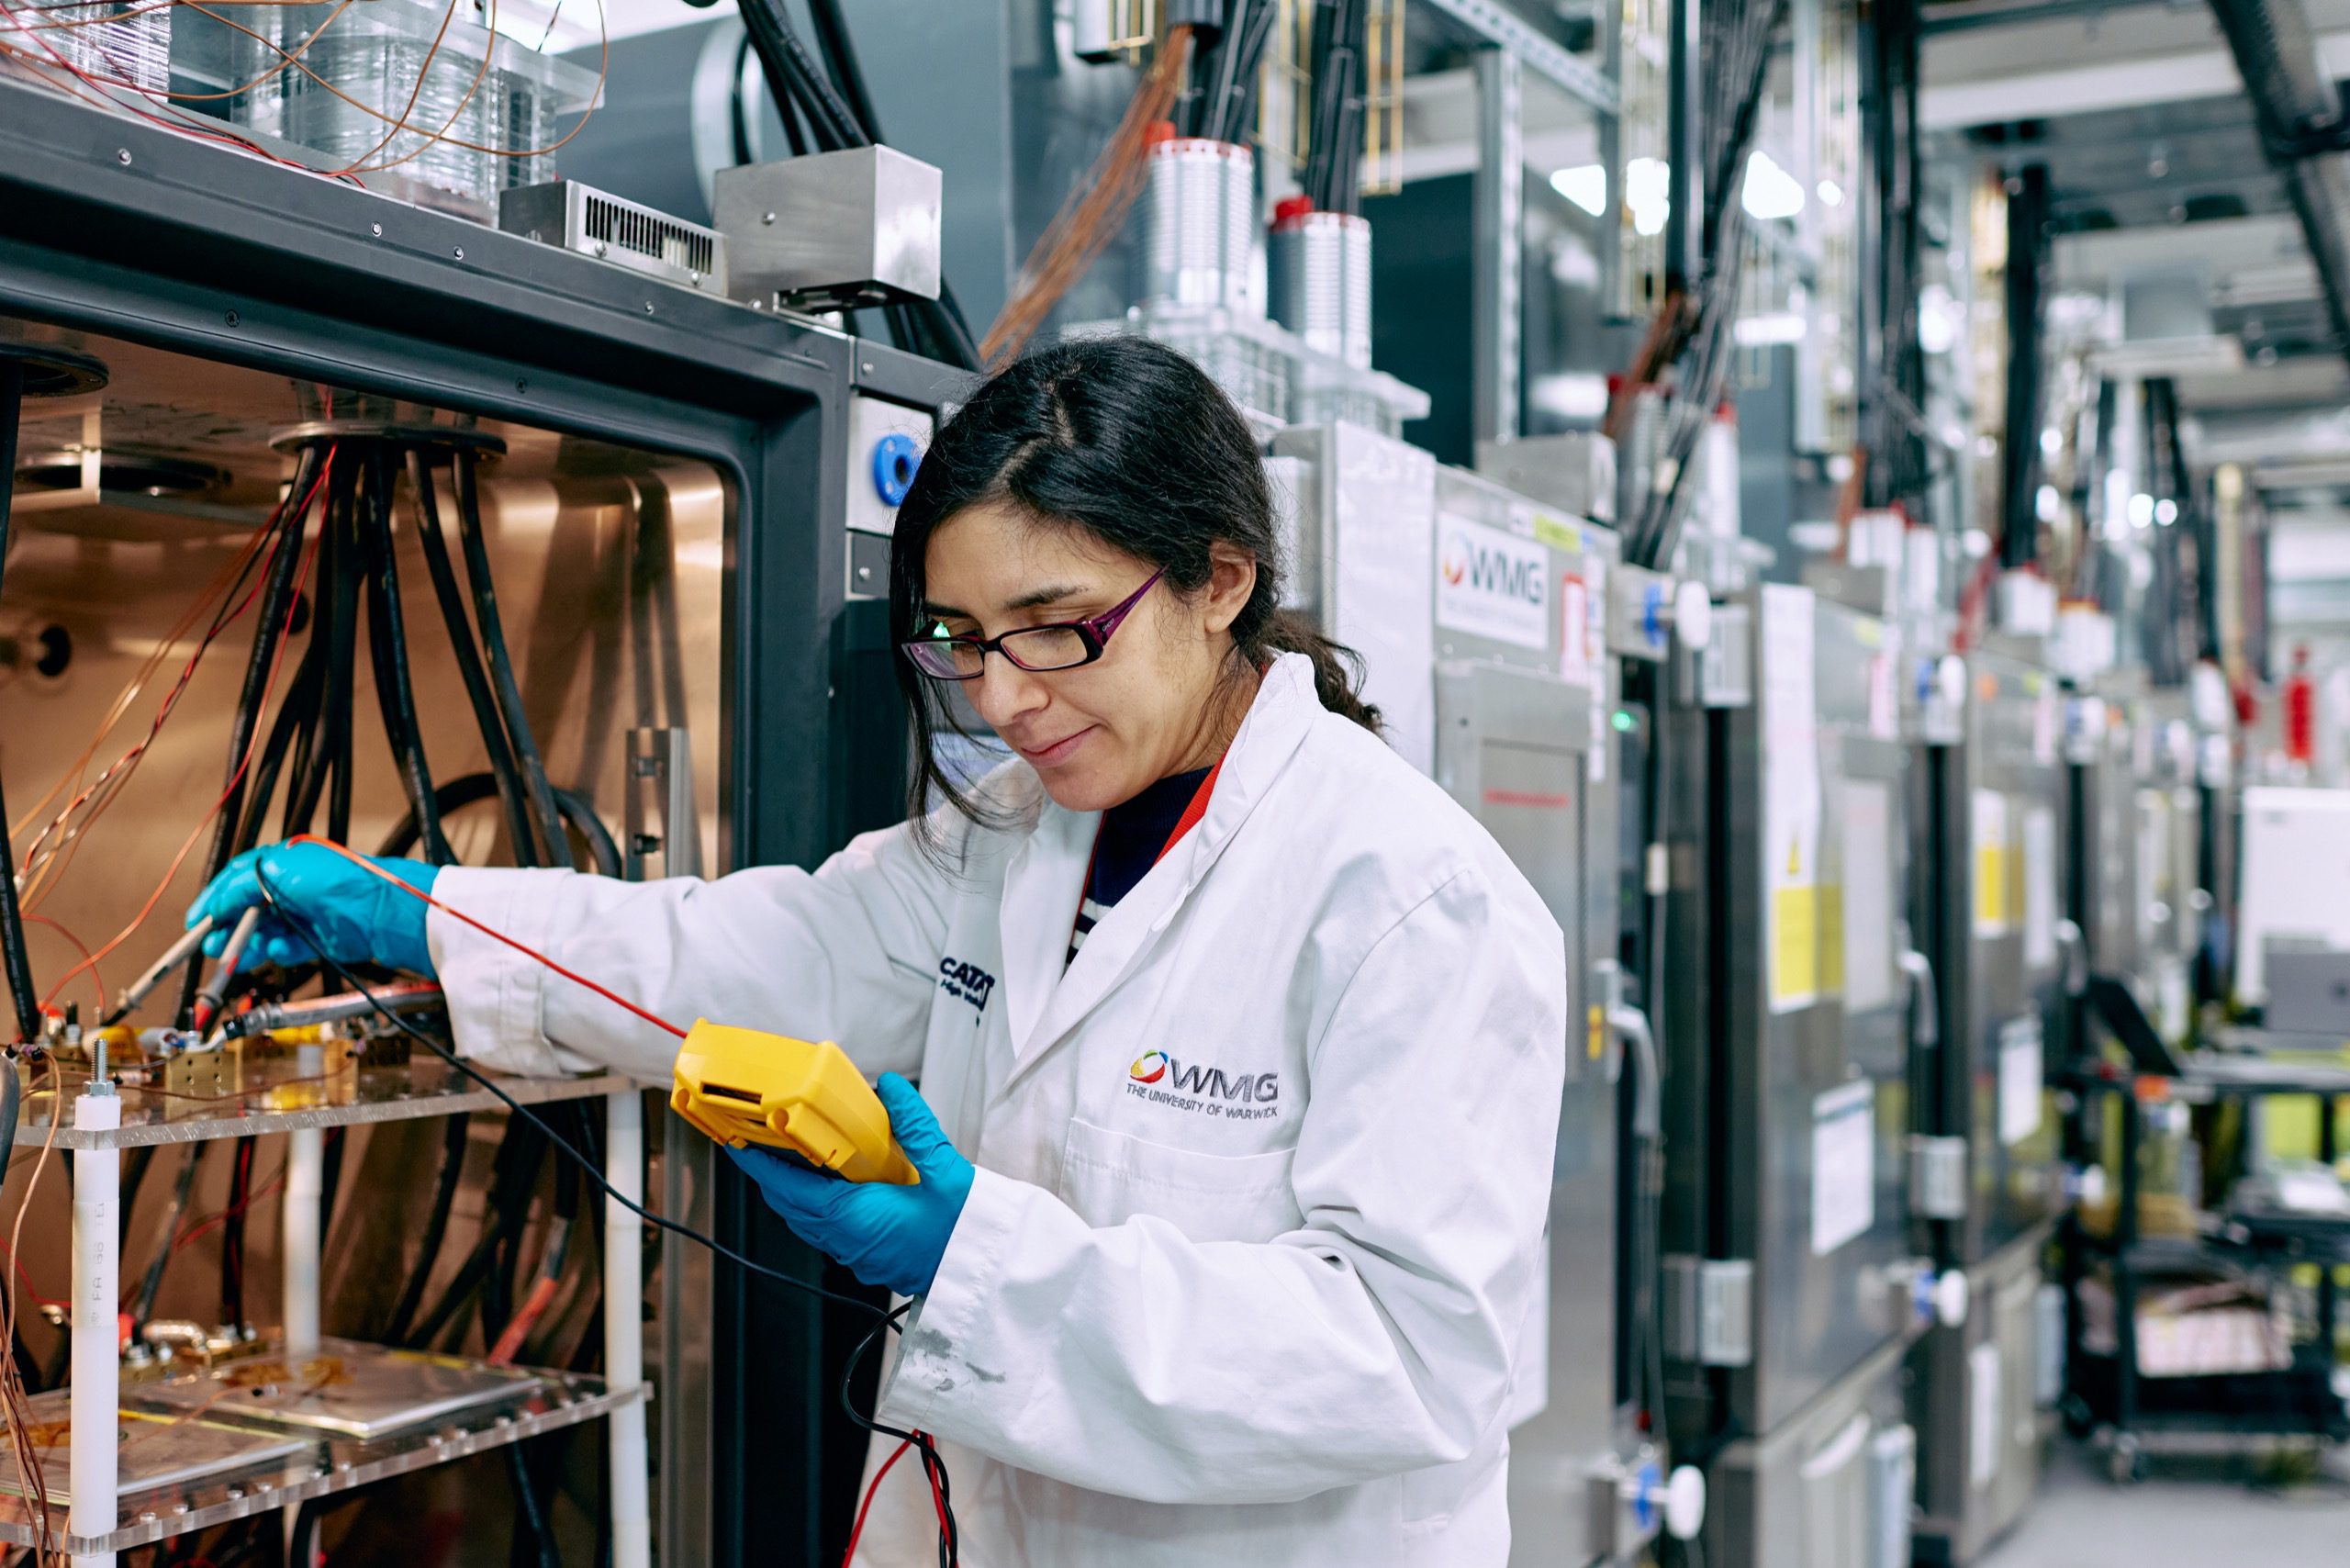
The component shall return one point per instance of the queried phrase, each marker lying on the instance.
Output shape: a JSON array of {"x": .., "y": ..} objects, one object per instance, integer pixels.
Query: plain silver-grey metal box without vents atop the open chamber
[{"x": 833, "y": 229}]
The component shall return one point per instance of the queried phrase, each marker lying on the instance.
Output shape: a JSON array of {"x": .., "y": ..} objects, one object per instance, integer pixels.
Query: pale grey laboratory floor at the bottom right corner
[{"x": 2189, "y": 1513}]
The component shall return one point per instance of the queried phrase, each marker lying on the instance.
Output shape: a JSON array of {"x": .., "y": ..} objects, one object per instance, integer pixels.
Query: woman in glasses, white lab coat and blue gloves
[{"x": 1242, "y": 1040}]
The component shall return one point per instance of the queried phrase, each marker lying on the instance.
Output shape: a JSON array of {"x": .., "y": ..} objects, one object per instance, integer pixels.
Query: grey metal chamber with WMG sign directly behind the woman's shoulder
[{"x": 1524, "y": 690}]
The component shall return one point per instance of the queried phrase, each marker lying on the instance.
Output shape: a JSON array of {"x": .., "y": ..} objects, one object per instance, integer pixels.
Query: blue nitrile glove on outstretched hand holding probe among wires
[{"x": 358, "y": 918}]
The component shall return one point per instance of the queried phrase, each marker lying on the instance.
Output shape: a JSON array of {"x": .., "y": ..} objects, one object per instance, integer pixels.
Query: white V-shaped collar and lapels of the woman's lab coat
[{"x": 1045, "y": 878}]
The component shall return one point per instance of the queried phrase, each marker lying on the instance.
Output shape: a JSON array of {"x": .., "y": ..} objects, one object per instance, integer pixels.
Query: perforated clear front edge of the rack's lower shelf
[{"x": 330, "y": 1466}]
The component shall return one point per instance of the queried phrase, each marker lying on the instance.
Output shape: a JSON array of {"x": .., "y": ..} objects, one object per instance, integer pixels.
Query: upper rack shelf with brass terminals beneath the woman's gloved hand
[{"x": 283, "y": 1101}]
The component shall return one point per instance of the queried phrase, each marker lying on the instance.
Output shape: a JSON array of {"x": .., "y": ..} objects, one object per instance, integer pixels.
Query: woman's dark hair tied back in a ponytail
[{"x": 1132, "y": 443}]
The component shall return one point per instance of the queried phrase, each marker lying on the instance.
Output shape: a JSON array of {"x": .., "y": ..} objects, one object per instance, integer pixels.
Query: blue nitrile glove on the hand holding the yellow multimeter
[{"x": 885, "y": 1233}]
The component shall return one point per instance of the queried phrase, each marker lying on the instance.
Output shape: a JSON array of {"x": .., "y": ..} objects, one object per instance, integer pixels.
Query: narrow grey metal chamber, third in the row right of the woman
[{"x": 1994, "y": 808}]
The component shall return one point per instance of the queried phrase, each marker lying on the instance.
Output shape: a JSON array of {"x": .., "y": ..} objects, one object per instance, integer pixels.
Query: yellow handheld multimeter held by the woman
[{"x": 786, "y": 1094}]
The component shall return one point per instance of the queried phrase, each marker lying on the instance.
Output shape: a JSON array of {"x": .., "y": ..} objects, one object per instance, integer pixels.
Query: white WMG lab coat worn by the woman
[{"x": 1261, "y": 1179}]
